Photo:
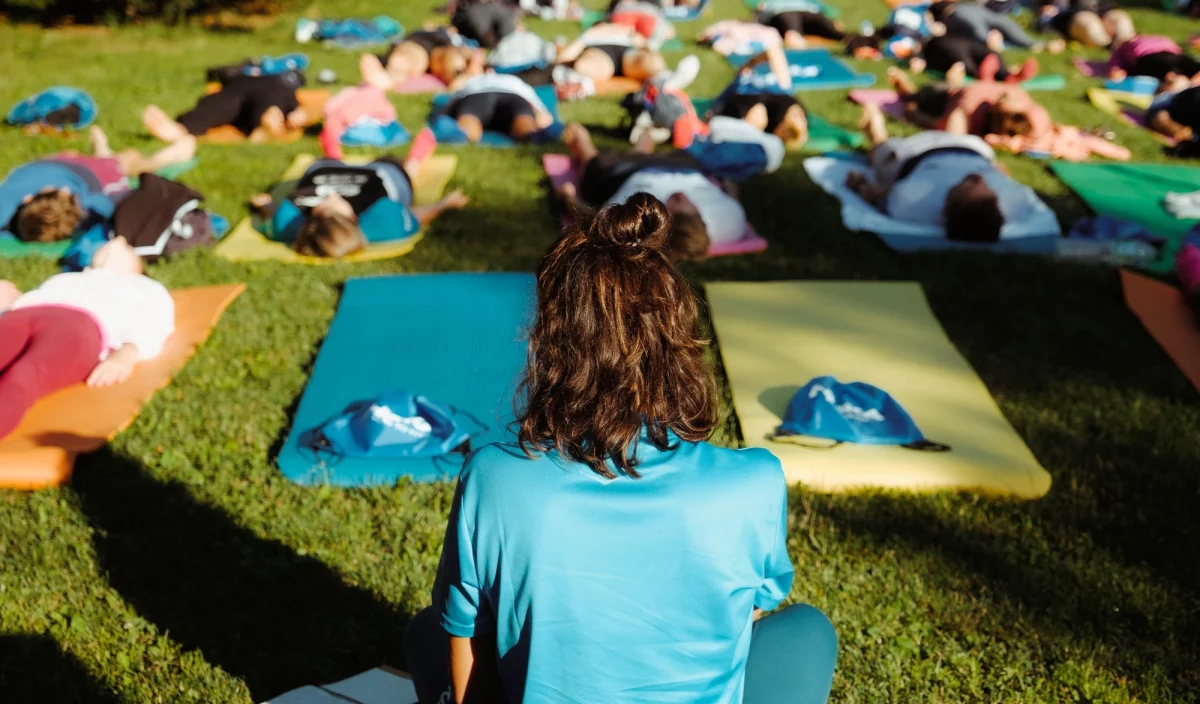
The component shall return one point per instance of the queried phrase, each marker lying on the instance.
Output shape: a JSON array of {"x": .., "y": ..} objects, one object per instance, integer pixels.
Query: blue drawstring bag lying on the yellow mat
[{"x": 827, "y": 410}]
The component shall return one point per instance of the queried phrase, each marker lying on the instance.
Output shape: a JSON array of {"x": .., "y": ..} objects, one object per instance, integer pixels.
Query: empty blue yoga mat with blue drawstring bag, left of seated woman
[{"x": 458, "y": 339}]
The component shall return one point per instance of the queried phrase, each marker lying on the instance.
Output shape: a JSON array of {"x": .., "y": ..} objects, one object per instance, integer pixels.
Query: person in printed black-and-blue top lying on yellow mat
[{"x": 338, "y": 209}]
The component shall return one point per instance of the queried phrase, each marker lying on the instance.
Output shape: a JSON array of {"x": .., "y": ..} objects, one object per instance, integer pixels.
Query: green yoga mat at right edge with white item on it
[{"x": 1135, "y": 192}]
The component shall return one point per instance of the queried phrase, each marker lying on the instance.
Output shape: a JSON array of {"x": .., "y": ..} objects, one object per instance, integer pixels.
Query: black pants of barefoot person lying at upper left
[{"x": 242, "y": 103}]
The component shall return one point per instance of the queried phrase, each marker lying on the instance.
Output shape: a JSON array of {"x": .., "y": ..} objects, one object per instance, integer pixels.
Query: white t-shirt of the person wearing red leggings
[{"x": 129, "y": 310}]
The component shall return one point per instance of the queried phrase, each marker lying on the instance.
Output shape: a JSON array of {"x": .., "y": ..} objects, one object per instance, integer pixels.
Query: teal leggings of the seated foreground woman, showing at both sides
[{"x": 793, "y": 658}]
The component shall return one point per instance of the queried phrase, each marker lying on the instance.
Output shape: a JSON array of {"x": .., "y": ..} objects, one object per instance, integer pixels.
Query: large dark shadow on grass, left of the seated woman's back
[{"x": 253, "y": 606}]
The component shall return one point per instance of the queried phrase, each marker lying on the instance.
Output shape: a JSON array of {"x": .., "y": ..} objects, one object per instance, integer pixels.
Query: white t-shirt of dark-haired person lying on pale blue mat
[{"x": 919, "y": 197}]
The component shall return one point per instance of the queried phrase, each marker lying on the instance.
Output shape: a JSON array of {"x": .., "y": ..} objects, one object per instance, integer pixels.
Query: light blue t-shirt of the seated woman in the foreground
[{"x": 619, "y": 591}]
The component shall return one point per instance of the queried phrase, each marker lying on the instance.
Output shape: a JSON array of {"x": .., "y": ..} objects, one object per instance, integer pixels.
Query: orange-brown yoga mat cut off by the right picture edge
[{"x": 1168, "y": 318}]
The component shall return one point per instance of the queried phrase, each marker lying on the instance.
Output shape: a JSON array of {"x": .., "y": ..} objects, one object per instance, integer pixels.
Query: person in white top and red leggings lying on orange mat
[{"x": 91, "y": 327}]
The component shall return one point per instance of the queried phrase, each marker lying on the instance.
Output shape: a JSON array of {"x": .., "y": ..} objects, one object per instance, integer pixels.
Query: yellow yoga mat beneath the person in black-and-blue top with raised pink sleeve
[{"x": 245, "y": 244}]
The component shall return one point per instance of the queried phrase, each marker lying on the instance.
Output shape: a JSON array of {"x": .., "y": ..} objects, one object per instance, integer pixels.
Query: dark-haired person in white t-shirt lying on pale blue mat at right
[{"x": 940, "y": 178}]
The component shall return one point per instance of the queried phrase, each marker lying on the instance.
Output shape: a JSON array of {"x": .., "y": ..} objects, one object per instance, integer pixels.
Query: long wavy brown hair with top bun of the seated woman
[{"x": 615, "y": 350}]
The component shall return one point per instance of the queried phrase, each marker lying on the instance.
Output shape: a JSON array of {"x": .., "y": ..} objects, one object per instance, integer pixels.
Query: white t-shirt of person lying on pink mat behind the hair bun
[{"x": 723, "y": 215}]
